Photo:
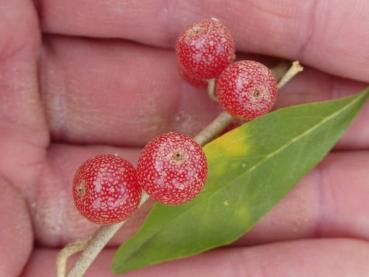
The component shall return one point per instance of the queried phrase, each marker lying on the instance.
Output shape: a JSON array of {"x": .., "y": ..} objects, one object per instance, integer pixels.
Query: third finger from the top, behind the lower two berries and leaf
[{"x": 337, "y": 187}]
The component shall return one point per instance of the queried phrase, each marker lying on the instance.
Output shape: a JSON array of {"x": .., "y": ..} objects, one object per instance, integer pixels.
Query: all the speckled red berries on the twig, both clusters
[{"x": 172, "y": 168}]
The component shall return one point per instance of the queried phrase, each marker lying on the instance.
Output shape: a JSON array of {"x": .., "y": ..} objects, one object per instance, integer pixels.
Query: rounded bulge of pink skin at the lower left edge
[{"x": 16, "y": 236}]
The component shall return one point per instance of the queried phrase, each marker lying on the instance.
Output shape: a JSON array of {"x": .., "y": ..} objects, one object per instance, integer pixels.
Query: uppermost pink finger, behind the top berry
[{"x": 330, "y": 35}]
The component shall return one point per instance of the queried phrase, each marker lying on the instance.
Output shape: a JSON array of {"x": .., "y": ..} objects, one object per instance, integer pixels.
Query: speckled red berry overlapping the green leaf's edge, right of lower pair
[{"x": 172, "y": 168}]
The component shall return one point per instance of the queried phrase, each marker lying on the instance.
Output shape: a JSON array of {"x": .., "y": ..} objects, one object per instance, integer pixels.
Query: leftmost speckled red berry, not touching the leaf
[{"x": 105, "y": 189}]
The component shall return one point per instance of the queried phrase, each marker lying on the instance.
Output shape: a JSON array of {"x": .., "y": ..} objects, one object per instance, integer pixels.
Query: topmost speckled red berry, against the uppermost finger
[{"x": 205, "y": 49}]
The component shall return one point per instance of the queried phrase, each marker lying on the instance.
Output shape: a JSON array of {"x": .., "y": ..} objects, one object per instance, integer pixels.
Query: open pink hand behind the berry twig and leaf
[{"x": 81, "y": 77}]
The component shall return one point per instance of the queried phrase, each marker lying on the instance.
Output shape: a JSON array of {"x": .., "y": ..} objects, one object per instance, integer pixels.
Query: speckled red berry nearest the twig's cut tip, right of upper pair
[{"x": 246, "y": 89}]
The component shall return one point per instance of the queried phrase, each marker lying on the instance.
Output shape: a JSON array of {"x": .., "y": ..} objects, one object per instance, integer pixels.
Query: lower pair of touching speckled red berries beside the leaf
[{"x": 172, "y": 169}]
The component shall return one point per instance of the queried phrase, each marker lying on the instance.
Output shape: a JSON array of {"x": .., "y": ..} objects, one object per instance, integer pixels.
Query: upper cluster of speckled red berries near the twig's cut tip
[{"x": 245, "y": 89}]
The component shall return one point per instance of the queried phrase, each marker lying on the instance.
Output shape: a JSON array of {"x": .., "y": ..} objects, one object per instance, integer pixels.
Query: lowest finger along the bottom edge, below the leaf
[{"x": 320, "y": 258}]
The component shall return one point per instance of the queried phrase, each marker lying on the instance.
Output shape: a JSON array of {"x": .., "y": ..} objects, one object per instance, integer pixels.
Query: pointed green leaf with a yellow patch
[{"x": 250, "y": 169}]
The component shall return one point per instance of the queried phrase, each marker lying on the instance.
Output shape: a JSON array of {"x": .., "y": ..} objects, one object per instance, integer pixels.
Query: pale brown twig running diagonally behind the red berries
[{"x": 91, "y": 248}]
